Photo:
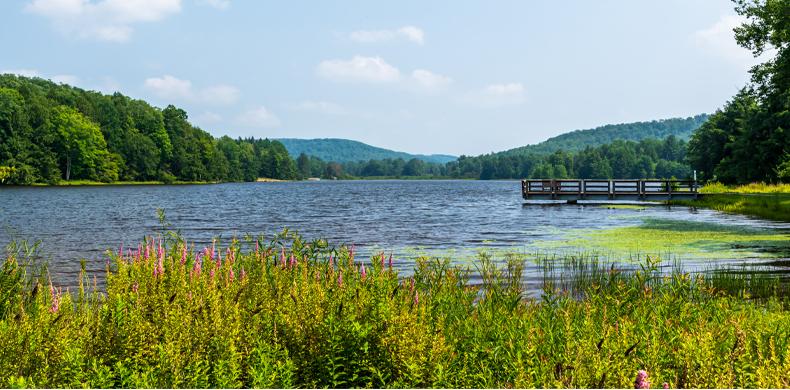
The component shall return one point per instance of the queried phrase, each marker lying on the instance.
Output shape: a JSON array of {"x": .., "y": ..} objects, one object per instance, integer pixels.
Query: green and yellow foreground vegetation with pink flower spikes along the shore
[{"x": 290, "y": 313}]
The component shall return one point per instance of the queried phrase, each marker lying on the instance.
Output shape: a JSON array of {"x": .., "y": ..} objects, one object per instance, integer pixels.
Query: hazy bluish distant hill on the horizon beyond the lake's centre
[{"x": 345, "y": 150}]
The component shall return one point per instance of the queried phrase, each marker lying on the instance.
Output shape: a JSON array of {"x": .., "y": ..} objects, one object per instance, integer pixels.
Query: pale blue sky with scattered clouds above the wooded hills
[{"x": 456, "y": 77}]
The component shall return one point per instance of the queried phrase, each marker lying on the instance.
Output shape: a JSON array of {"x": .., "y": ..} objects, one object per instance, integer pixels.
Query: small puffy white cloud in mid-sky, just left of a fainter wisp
[{"x": 358, "y": 69}]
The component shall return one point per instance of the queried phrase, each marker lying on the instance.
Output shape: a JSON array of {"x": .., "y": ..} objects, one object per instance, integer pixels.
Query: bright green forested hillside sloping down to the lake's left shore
[{"x": 51, "y": 132}]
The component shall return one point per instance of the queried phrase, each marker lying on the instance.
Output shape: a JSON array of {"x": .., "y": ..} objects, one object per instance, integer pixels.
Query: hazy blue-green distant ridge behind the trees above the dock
[{"x": 636, "y": 131}]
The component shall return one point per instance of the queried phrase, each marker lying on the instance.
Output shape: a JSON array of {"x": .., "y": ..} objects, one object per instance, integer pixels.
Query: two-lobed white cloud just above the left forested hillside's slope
[{"x": 170, "y": 87}]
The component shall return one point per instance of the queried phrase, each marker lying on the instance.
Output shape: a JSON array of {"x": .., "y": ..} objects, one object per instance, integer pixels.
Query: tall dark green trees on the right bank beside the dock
[{"x": 748, "y": 139}]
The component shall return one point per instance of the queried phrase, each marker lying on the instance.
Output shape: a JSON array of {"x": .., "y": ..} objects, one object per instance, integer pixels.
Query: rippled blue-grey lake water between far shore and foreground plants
[{"x": 405, "y": 217}]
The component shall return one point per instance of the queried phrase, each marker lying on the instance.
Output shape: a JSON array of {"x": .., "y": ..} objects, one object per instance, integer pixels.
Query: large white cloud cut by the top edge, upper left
[{"x": 104, "y": 20}]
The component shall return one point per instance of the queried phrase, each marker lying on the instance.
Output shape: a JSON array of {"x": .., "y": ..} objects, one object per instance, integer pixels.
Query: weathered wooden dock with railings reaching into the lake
[{"x": 574, "y": 189}]
